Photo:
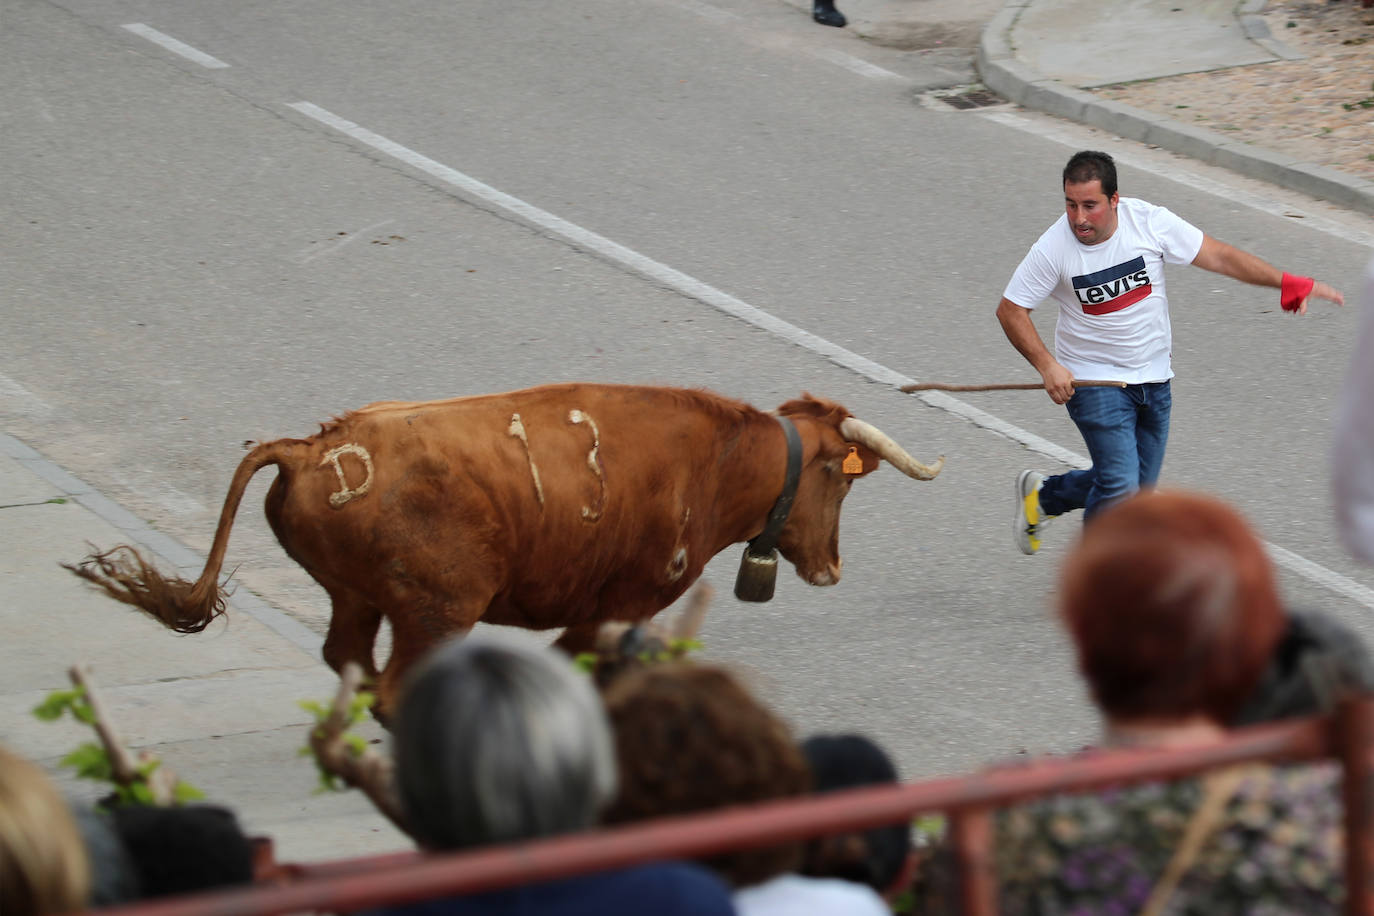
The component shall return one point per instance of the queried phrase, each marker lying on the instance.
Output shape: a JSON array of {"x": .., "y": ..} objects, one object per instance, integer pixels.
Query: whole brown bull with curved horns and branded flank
[{"x": 564, "y": 506}]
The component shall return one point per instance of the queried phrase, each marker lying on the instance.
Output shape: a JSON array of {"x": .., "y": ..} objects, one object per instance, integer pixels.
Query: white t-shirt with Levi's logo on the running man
[{"x": 1114, "y": 314}]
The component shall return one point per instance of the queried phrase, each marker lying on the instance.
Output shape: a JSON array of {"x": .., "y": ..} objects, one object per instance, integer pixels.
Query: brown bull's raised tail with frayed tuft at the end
[{"x": 183, "y": 606}]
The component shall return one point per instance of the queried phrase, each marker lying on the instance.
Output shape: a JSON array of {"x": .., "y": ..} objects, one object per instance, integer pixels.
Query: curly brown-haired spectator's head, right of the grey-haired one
[{"x": 692, "y": 738}]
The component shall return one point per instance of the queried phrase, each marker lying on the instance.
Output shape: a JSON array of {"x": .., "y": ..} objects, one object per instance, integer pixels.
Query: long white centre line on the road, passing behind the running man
[{"x": 667, "y": 277}]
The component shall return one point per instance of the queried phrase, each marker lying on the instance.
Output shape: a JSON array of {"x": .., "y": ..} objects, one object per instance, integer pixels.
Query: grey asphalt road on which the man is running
[{"x": 358, "y": 203}]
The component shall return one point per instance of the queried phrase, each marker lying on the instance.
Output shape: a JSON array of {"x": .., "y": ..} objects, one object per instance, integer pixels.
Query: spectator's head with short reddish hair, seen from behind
[{"x": 1173, "y": 606}]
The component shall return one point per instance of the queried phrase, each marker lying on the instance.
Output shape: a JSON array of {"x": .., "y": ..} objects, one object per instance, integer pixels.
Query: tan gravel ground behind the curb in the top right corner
[{"x": 1320, "y": 109}]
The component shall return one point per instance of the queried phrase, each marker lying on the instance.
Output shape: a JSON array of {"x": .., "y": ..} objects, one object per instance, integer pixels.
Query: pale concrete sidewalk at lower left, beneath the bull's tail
[{"x": 219, "y": 708}]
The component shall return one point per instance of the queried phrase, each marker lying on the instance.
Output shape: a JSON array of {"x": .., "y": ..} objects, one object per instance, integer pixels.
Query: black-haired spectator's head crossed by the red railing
[{"x": 875, "y": 858}]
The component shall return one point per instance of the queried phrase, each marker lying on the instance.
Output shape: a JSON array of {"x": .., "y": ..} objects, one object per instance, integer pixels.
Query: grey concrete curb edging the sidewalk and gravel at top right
[{"x": 1005, "y": 75}]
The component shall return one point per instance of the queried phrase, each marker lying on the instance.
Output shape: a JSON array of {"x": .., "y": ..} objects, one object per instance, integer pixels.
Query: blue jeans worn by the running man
[{"x": 1126, "y": 432}]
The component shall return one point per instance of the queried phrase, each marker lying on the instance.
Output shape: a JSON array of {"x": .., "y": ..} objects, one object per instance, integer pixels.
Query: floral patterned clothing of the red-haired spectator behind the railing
[{"x": 1277, "y": 851}]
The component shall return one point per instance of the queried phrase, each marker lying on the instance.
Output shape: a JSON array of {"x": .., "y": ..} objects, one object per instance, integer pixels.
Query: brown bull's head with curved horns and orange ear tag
[{"x": 837, "y": 448}]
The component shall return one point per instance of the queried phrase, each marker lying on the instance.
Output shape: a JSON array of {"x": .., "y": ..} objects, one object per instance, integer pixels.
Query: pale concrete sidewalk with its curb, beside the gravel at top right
[{"x": 1048, "y": 54}]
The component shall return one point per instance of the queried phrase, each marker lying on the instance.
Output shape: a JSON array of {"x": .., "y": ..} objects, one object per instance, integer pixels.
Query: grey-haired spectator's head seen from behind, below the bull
[{"x": 497, "y": 742}]
